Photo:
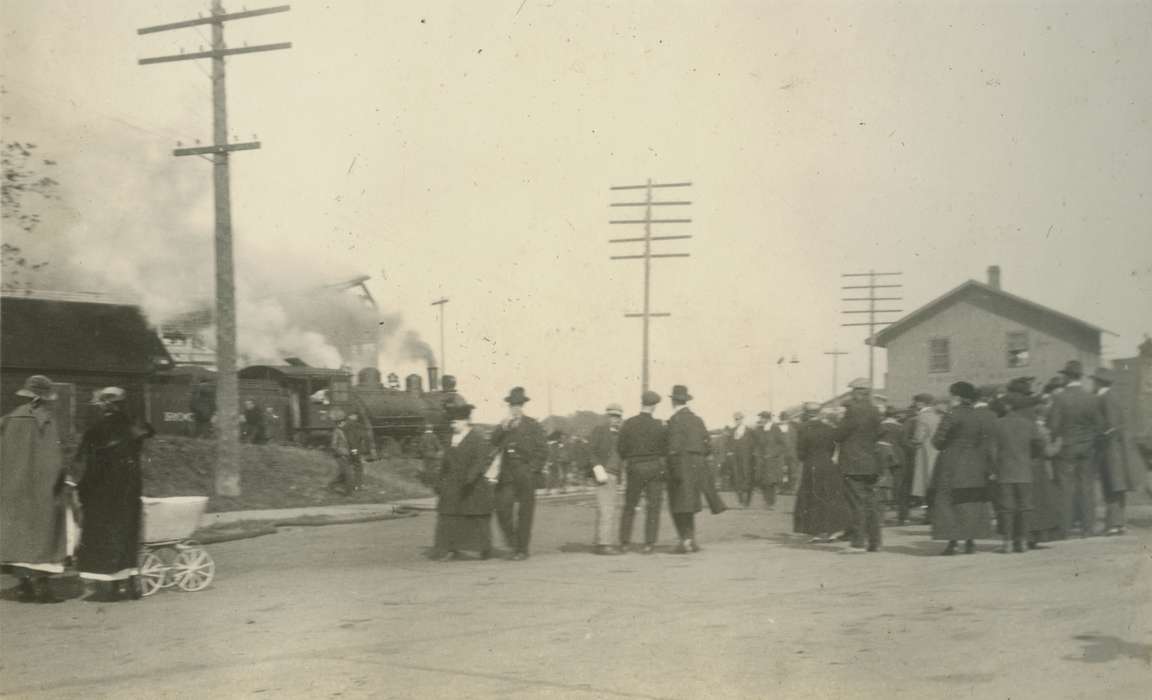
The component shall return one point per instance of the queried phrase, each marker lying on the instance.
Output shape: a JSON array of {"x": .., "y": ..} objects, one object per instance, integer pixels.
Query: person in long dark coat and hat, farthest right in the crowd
[{"x": 1120, "y": 467}]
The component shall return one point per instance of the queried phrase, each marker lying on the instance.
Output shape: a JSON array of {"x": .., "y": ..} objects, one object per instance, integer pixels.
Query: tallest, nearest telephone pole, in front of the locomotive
[{"x": 228, "y": 471}]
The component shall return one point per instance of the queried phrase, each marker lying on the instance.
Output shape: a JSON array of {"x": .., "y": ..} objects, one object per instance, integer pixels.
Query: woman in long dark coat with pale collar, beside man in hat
[{"x": 466, "y": 505}]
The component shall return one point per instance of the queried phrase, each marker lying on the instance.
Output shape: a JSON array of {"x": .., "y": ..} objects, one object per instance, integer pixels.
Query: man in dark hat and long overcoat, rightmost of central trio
[{"x": 688, "y": 448}]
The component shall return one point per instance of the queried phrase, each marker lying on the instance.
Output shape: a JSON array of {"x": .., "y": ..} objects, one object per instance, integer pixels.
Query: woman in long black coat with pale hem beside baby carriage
[{"x": 110, "y": 497}]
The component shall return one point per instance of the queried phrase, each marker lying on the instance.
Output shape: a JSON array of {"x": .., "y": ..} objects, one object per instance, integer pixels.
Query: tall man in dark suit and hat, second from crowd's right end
[{"x": 1077, "y": 424}]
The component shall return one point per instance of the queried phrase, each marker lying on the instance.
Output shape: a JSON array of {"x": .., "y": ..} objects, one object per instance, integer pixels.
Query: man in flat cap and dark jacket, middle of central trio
[{"x": 643, "y": 445}]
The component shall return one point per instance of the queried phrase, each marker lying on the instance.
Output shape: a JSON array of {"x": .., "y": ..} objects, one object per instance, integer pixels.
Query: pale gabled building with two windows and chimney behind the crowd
[{"x": 982, "y": 334}]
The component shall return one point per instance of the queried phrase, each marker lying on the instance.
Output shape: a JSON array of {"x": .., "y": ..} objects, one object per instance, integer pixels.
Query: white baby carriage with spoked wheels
[{"x": 169, "y": 559}]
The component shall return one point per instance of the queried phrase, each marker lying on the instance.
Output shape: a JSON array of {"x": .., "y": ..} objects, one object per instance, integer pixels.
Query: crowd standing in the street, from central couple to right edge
[{"x": 1005, "y": 463}]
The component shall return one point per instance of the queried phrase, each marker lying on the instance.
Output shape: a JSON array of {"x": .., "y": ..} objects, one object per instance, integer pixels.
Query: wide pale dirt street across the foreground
[{"x": 359, "y": 612}]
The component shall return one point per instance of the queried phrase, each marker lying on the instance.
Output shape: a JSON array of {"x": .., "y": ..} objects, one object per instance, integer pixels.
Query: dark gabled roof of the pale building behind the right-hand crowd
[{"x": 1002, "y": 303}]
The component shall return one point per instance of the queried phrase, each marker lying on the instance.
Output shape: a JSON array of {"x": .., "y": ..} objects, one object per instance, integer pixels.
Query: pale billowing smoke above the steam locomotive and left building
[{"x": 141, "y": 229}]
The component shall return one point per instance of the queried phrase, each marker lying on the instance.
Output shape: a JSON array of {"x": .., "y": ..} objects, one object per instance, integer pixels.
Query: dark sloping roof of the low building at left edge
[{"x": 50, "y": 336}]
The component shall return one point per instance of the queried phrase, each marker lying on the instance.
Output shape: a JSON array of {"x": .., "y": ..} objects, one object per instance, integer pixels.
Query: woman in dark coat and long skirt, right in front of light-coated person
[{"x": 965, "y": 438}]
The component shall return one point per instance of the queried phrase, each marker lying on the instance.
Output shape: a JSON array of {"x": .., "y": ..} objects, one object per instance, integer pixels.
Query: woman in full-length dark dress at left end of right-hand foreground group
[{"x": 822, "y": 506}]
